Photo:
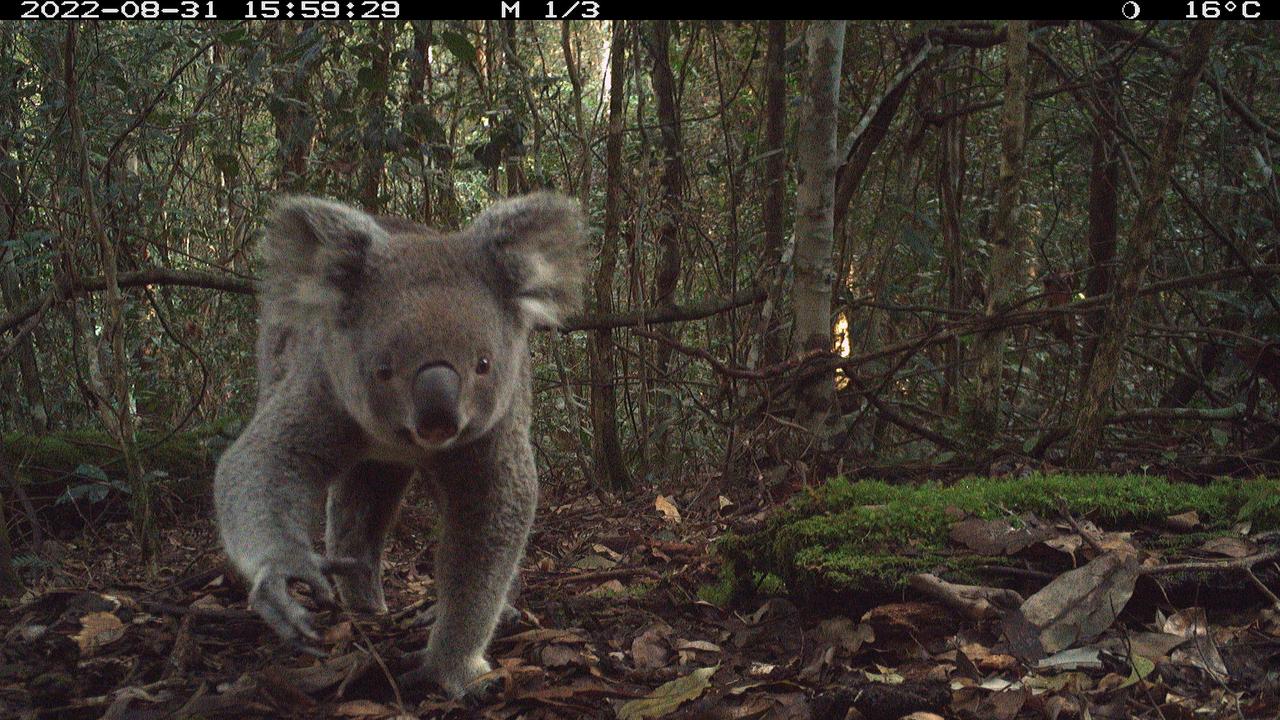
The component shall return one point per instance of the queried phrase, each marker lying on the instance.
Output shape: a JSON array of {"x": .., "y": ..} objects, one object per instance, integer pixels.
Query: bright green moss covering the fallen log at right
[{"x": 871, "y": 536}]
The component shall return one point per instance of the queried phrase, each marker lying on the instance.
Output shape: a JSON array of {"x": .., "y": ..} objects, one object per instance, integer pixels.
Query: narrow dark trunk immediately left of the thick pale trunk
[{"x": 766, "y": 344}]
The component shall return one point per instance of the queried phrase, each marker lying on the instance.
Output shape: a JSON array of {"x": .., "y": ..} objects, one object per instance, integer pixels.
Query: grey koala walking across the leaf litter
[{"x": 387, "y": 349}]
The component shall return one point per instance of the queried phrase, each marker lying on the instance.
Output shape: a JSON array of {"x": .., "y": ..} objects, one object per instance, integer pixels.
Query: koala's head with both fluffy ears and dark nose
[{"x": 427, "y": 338}]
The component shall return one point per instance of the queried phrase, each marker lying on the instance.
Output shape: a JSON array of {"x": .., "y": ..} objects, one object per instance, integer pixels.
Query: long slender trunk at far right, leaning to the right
[{"x": 1136, "y": 258}]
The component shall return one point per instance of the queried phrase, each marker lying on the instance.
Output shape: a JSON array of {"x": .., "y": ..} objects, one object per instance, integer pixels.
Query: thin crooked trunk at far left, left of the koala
[{"x": 115, "y": 395}]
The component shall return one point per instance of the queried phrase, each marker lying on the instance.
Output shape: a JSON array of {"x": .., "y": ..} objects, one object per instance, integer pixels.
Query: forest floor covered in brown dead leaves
[{"x": 612, "y": 626}]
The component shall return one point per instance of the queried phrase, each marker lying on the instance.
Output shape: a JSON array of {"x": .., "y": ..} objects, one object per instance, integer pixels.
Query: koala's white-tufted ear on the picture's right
[{"x": 540, "y": 243}]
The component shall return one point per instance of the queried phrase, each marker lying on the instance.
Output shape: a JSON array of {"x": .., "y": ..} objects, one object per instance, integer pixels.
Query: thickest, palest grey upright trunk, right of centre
[{"x": 815, "y": 224}]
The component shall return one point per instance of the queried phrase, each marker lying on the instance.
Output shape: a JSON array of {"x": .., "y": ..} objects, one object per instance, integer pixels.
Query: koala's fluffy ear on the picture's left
[{"x": 316, "y": 253}]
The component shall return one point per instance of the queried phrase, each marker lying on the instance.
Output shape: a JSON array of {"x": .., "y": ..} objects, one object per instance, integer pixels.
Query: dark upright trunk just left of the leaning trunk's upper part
[{"x": 1104, "y": 185}]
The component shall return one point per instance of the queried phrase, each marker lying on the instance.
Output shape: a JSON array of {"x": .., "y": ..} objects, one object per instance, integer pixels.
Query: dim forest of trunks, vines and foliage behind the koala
[{"x": 907, "y": 250}]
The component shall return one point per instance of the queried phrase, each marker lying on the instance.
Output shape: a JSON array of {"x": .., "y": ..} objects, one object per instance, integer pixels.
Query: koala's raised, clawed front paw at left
[{"x": 271, "y": 595}]
